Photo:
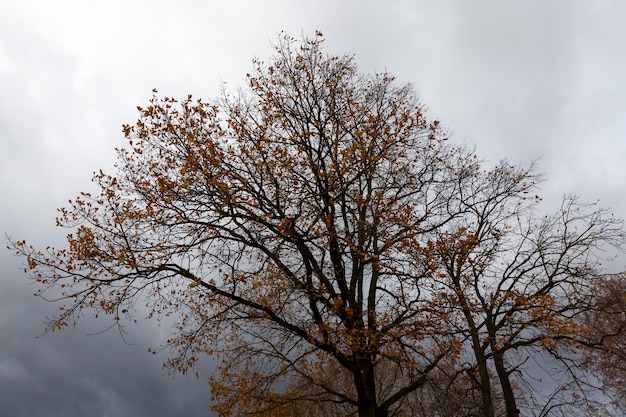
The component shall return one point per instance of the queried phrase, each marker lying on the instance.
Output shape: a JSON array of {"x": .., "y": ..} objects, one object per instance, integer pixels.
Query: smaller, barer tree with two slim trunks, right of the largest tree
[{"x": 517, "y": 284}]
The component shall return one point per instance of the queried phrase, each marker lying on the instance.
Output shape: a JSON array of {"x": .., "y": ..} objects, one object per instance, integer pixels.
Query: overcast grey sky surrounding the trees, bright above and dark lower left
[{"x": 522, "y": 80}]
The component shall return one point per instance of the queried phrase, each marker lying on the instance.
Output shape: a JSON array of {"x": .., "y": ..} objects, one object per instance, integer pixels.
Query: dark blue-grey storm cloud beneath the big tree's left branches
[{"x": 70, "y": 373}]
